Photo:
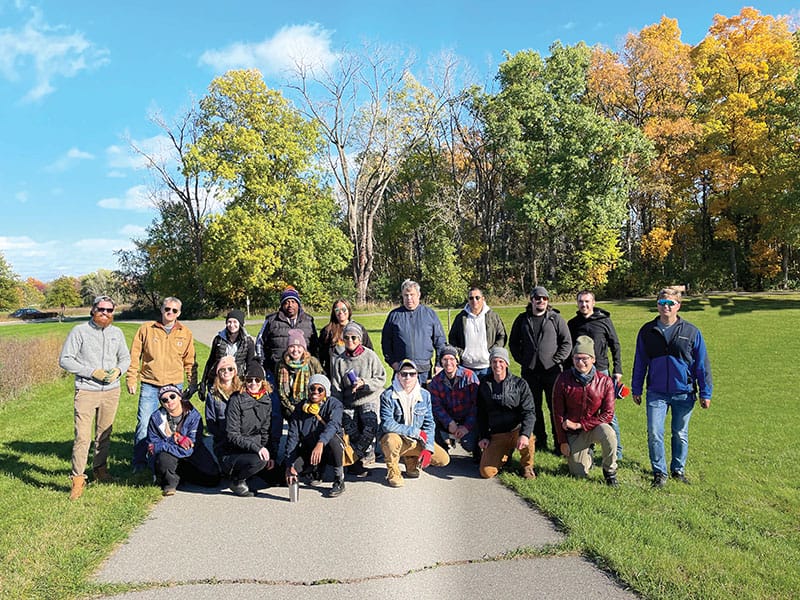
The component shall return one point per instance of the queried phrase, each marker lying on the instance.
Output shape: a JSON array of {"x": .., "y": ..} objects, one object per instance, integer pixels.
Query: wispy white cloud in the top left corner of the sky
[{"x": 45, "y": 53}]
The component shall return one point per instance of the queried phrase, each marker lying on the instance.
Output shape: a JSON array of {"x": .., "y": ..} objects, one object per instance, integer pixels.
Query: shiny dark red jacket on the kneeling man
[{"x": 590, "y": 405}]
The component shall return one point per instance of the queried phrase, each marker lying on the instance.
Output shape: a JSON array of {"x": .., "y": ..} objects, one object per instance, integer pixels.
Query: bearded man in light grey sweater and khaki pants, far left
[{"x": 97, "y": 354}]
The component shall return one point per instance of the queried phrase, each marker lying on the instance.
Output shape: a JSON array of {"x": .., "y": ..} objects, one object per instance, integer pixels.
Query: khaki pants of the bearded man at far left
[{"x": 102, "y": 408}]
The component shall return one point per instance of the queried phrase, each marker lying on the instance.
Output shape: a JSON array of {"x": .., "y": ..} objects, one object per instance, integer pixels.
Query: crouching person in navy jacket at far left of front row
[{"x": 174, "y": 435}]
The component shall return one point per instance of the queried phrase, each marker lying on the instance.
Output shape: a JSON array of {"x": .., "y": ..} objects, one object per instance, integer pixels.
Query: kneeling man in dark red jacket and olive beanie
[{"x": 583, "y": 406}]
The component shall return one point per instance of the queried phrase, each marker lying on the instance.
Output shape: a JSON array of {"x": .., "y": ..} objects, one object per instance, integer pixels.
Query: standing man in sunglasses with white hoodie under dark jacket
[{"x": 477, "y": 330}]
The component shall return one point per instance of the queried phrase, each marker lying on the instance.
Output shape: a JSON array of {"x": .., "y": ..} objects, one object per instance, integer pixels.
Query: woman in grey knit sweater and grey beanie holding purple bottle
[{"x": 358, "y": 378}]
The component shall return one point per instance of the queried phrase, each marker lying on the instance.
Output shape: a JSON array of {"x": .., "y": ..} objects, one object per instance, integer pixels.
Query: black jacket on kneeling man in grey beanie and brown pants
[{"x": 515, "y": 409}]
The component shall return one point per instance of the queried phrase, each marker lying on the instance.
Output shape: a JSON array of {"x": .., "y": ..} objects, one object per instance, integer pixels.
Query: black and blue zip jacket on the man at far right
[{"x": 680, "y": 367}]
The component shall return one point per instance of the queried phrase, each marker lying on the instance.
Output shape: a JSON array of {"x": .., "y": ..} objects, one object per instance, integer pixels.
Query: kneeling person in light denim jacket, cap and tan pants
[{"x": 408, "y": 427}]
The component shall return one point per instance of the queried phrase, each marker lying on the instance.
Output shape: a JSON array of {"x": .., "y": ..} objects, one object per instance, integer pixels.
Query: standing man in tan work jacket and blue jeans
[{"x": 162, "y": 353}]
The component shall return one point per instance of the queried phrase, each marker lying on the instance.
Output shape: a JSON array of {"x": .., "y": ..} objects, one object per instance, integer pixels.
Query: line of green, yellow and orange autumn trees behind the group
[{"x": 662, "y": 162}]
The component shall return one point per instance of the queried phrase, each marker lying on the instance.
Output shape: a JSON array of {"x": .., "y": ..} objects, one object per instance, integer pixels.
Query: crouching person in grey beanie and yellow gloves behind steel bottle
[{"x": 314, "y": 438}]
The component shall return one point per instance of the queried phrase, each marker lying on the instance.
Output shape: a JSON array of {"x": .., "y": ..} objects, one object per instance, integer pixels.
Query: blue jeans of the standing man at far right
[{"x": 681, "y": 406}]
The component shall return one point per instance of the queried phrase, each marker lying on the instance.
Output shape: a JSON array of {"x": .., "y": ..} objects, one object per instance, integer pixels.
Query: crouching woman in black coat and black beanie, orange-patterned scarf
[{"x": 249, "y": 447}]
